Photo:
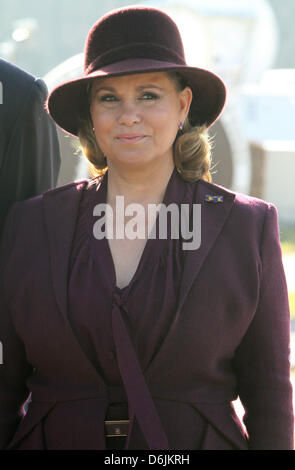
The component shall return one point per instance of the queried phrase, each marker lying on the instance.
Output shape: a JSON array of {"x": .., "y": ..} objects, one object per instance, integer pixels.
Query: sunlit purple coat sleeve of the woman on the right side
[{"x": 262, "y": 360}]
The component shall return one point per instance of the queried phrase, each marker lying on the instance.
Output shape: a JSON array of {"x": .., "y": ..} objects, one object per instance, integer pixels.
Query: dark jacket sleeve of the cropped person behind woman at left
[{"x": 33, "y": 159}]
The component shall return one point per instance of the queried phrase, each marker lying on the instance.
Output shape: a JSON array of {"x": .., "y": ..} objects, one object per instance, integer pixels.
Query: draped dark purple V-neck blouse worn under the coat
[{"x": 148, "y": 303}]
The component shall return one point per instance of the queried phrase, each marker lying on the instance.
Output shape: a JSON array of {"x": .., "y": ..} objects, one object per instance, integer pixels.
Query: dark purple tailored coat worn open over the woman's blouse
[{"x": 229, "y": 337}]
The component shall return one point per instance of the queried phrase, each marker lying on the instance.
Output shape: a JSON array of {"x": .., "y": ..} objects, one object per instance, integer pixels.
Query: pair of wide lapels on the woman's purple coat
[{"x": 61, "y": 208}]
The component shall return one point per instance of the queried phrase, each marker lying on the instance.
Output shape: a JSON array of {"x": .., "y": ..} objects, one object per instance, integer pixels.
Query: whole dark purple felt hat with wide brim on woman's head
[{"x": 136, "y": 39}]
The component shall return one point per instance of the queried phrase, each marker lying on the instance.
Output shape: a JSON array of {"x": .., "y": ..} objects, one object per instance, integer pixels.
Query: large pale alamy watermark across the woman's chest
[{"x": 185, "y": 222}]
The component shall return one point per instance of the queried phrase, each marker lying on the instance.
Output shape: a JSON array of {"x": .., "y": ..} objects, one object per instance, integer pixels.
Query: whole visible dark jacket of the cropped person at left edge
[{"x": 29, "y": 148}]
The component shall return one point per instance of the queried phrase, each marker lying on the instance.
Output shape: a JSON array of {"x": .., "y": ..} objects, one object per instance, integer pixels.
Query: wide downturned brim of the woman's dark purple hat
[{"x": 68, "y": 101}]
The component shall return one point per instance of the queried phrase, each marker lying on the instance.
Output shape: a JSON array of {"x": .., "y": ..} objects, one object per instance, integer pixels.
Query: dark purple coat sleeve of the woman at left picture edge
[{"x": 14, "y": 368}]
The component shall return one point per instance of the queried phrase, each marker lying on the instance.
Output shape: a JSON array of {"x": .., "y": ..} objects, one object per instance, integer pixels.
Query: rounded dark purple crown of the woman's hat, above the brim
[{"x": 133, "y": 32}]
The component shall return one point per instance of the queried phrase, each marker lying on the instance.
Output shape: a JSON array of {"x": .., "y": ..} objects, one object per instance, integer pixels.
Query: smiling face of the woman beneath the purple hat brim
[{"x": 136, "y": 117}]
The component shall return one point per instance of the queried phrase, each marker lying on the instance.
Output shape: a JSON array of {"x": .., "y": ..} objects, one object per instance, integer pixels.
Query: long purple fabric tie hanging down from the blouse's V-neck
[{"x": 140, "y": 402}]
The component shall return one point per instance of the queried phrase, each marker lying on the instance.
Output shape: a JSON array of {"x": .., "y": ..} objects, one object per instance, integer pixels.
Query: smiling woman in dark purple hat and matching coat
[{"x": 143, "y": 342}]
